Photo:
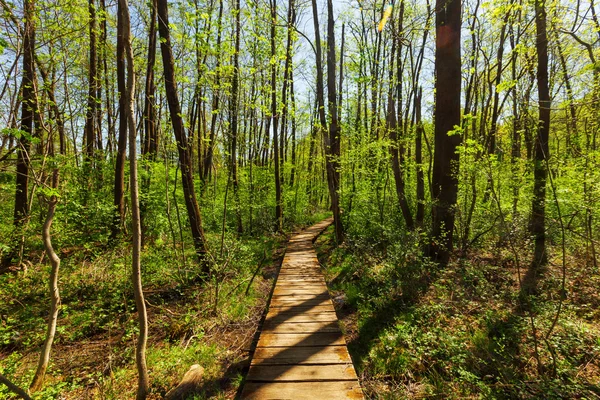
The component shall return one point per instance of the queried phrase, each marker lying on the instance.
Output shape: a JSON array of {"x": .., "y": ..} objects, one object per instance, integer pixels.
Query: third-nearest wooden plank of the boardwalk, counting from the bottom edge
[{"x": 301, "y": 355}]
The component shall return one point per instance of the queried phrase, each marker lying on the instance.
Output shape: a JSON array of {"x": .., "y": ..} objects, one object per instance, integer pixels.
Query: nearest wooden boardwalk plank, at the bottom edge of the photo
[{"x": 302, "y": 391}]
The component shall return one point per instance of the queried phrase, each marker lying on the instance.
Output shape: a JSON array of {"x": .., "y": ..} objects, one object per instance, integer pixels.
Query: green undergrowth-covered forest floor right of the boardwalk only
[{"x": 417, "y": 331}]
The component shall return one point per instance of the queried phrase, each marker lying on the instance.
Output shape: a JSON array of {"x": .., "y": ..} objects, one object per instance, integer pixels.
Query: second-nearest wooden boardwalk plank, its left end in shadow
[{"x": 282, "y": 373}]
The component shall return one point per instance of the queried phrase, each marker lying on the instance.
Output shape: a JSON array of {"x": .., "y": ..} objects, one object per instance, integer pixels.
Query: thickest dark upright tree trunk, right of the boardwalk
[{"x": 447, "y": 116}]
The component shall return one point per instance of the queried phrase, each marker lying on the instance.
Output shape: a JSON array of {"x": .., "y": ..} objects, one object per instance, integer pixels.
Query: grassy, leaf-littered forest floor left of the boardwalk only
[{"x": 93, "y": 354}]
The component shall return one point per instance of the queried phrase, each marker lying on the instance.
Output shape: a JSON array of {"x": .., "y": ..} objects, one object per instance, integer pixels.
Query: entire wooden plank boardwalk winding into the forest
[{"x": 301, "y": 352}]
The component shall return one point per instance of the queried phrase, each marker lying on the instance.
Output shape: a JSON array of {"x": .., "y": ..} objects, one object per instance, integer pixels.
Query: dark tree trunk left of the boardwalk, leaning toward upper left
[{"x": 191, "y": 203}]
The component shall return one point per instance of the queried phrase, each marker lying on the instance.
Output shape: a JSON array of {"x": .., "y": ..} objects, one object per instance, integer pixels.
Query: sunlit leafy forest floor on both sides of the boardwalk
[{"x": 413, "y": 330}]
